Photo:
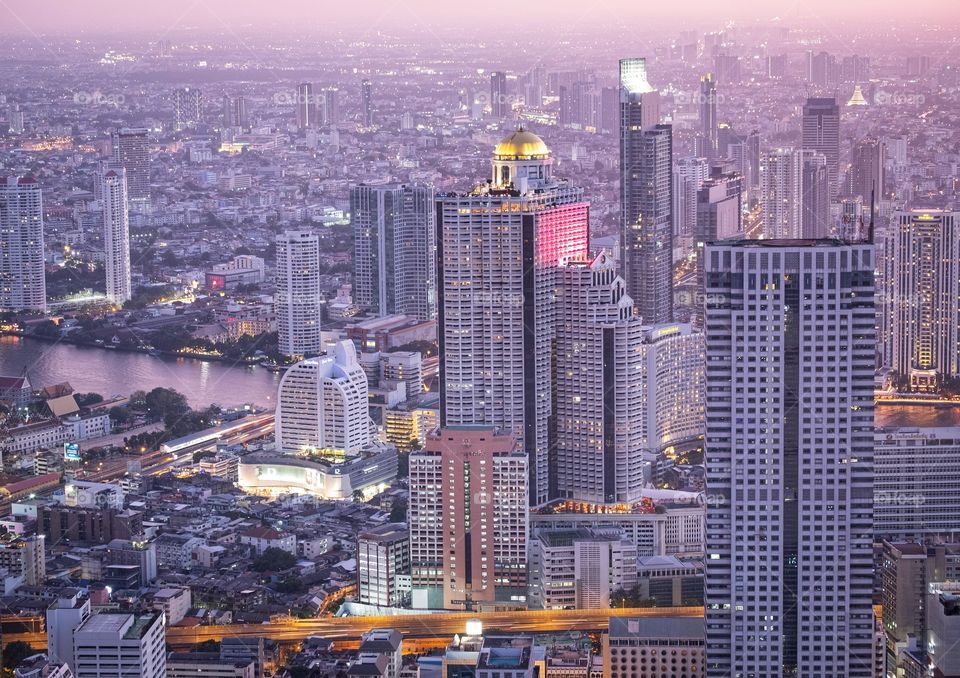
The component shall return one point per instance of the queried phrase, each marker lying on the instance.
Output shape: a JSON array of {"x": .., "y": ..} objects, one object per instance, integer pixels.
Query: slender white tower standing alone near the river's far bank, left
[{"x": 116, "y": 233}]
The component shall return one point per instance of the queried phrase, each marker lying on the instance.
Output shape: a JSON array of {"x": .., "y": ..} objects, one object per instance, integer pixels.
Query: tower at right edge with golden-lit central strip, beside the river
[{"x": 920, "y": 319}]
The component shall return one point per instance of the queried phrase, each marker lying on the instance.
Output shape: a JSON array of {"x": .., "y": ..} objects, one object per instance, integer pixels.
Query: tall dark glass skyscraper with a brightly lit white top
[{"x": 646, "y": 195}]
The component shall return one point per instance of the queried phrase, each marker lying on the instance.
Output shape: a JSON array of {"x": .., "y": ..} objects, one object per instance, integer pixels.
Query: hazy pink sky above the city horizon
[{"x": 74, "y": 17}]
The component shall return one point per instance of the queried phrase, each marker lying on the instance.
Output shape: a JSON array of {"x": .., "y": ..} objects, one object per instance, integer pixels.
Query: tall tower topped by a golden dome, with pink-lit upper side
[{"x": 499, "y": 248}]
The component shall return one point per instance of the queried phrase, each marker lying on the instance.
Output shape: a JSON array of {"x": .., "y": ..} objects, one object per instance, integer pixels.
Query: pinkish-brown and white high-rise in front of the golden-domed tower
[{"x": 469, "y": 520}]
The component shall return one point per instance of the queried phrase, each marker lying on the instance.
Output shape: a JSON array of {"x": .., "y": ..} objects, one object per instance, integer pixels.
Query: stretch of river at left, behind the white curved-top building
[{"x": 114, "y": 372}]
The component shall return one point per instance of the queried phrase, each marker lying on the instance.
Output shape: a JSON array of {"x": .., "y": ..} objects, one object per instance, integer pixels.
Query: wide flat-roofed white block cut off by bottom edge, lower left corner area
[{"x": 120, "y": 644}]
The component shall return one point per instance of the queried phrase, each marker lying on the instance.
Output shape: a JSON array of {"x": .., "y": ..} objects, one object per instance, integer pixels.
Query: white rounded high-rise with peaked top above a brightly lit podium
[{"x": 322, "y": 403}]
